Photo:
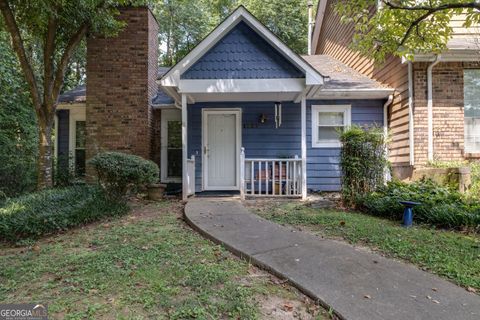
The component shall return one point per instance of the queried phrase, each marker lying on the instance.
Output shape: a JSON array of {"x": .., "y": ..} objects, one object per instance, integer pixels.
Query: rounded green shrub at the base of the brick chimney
[{"x": 119, "y": 173}]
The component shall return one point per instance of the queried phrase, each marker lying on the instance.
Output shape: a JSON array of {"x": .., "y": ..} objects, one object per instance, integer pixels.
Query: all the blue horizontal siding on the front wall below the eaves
[{"x": 264, "y": 141}]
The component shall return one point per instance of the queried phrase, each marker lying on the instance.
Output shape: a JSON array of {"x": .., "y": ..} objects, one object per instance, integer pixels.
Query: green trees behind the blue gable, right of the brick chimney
[{"x": 183, "y": 23}]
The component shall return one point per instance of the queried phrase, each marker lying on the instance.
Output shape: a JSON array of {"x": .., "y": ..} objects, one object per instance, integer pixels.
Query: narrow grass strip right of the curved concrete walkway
[{"x": 452, "y": 255}]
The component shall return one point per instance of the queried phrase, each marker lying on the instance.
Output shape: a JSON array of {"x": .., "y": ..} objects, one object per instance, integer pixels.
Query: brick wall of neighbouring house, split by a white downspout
[{"x": 448, "y": 125}]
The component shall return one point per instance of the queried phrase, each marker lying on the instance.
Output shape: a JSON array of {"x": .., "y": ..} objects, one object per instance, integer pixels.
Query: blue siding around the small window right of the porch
[{"x": 323, "y": 164}]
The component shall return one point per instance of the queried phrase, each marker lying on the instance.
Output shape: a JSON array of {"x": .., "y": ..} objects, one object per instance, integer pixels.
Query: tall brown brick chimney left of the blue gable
[{"x": 121, "y": 75}]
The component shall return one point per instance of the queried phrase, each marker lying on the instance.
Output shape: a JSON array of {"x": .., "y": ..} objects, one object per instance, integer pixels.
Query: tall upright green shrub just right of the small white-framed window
[{"x": 363, "y": 161}]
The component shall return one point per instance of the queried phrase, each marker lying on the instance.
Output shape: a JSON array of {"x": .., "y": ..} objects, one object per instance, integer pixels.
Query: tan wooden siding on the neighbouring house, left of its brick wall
[{"x": 335, "y": 39}]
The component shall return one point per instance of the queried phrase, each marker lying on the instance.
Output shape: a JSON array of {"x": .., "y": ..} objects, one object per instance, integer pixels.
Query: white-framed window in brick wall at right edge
[{"x": 471, "y": 90}]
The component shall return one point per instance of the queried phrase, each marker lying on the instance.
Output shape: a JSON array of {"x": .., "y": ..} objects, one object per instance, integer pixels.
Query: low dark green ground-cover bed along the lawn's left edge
[{"x": 54, "y": 210}]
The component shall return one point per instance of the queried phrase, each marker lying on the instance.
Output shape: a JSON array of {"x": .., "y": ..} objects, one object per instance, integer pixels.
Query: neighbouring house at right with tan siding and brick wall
[{"x": 454, "y": 130}]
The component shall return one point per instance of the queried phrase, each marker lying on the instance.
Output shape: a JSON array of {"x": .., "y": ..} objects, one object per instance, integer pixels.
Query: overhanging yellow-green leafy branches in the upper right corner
[{"x": 404, "y": 27}]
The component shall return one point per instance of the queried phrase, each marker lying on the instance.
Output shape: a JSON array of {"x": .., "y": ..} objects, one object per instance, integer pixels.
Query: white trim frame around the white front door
[{"x": 238, "y": 132}]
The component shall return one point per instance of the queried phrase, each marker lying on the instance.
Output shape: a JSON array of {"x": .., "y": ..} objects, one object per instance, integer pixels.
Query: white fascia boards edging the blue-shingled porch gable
[{"x": 172, "y": 77}]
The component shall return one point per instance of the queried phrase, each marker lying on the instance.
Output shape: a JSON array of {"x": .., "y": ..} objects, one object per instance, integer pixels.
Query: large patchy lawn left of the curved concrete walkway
[{"x": 147, "y": 264}]
